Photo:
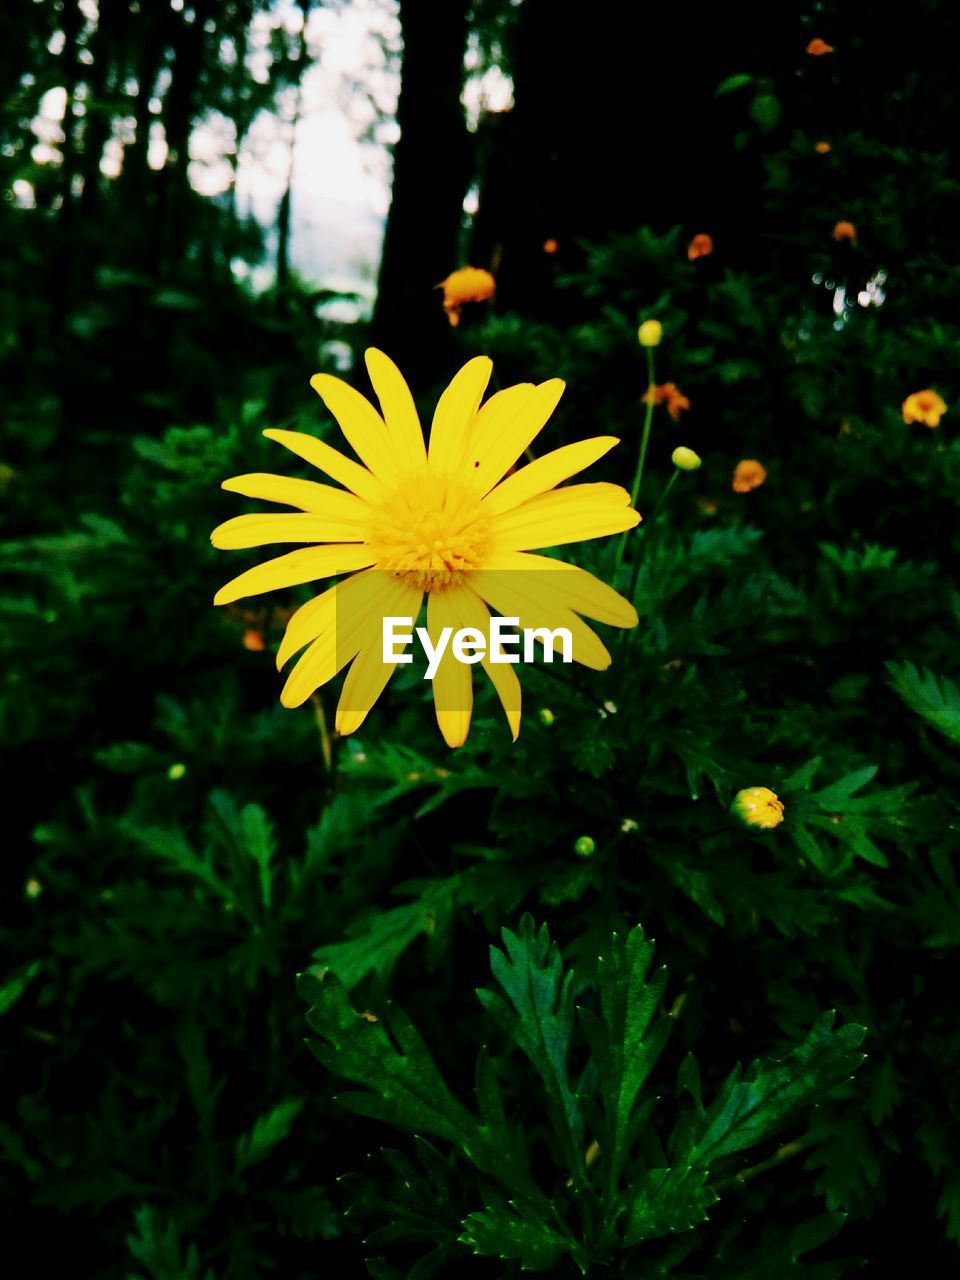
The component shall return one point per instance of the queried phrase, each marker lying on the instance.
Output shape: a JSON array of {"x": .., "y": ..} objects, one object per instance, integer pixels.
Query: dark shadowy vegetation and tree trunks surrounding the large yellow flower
[{"x": 179, "y": 848}]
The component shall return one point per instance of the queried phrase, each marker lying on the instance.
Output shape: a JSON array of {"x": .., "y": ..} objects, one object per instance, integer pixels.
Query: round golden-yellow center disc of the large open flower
[{"x": 429, "y": 529}]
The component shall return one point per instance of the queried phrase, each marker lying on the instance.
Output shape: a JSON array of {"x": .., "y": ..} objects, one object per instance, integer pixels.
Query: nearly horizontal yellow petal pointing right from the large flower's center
[{"x": 561, "y": 516}]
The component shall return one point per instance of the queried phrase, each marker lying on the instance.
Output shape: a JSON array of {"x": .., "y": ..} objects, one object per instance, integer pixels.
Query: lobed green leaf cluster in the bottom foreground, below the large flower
[{"x": 643, "y": 1181}]
